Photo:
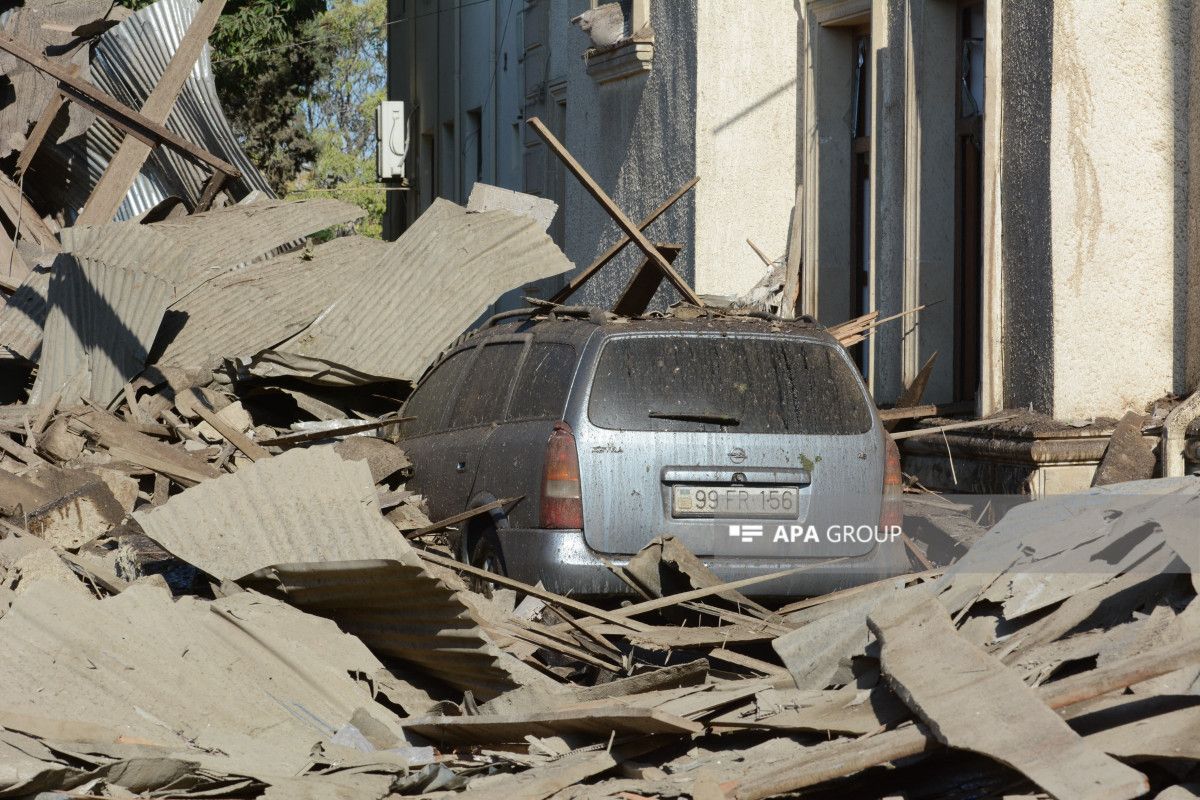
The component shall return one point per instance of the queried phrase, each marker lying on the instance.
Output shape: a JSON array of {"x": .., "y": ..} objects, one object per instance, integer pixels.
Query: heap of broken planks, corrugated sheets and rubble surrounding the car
[{"x": 214, "y": 582}]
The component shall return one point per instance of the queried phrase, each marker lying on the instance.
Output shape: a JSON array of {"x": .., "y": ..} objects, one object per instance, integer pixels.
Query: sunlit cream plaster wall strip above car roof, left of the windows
[{"x": 746, "y": 140}]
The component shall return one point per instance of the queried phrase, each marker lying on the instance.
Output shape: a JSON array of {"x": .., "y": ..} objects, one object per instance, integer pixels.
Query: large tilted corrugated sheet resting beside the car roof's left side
[{"x": 436, "y": 280}]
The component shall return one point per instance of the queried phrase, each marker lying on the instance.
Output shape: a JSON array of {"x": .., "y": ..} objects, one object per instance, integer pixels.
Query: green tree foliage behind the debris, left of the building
[{"x": 299, "y": 81}]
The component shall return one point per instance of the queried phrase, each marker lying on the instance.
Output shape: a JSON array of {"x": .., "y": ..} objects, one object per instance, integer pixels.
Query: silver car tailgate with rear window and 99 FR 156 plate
[{"x": 778, "y": 429}]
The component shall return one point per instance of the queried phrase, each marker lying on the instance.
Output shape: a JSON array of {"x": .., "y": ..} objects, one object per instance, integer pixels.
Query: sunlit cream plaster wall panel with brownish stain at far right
[{"x": 1118, "y": 201}]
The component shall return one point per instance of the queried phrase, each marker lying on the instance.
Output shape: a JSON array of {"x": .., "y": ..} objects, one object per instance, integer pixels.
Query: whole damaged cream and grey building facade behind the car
[{"x": 1018, "y": 169}]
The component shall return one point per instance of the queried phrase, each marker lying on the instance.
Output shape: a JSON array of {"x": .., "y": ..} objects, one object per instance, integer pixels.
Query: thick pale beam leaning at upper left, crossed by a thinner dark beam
[{"x": 123, "y": 170}]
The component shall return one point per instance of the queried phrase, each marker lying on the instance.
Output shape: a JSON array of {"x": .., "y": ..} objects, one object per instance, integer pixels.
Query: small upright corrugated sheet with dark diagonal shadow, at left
[{"x": 101, "y": 323}]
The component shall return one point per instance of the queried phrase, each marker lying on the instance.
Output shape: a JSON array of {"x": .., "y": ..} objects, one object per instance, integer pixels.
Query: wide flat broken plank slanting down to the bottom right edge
[{"x": 971, "y": 701}]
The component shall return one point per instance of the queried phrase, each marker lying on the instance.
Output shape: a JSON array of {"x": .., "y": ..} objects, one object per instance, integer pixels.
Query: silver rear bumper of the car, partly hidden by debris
[{"x": 565, "y": 564}]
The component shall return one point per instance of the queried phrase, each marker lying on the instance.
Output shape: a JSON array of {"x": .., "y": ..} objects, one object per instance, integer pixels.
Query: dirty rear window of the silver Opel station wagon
[{"x": 745, "y": 384}]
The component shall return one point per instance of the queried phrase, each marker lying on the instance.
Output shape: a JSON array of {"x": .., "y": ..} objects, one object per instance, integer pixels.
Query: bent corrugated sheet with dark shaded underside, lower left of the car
[{"x": 315, "y": 520}]
